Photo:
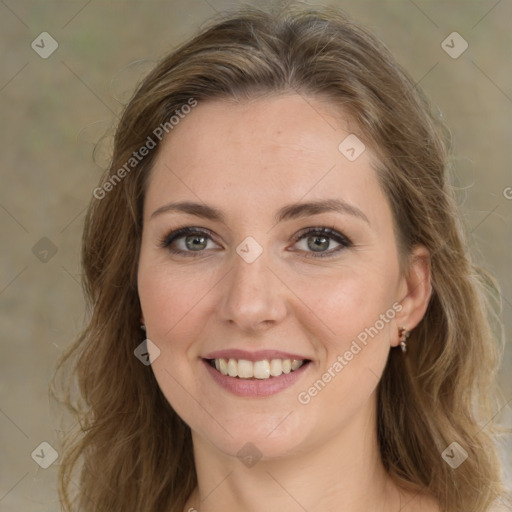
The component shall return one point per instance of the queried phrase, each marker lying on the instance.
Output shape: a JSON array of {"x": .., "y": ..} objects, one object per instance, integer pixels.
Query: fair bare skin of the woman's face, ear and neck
[{"x": 249, "y": 159}]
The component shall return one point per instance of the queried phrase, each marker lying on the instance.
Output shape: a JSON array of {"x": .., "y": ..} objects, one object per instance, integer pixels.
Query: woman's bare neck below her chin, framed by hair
[{"x": 344, "y": 473}]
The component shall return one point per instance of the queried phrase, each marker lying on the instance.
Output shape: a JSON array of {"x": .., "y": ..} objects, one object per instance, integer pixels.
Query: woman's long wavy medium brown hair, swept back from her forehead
[{"x": 132, "y": 451}]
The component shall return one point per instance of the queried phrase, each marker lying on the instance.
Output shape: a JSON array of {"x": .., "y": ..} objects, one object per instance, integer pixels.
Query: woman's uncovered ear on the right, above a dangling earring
[{"x": 415, "y": 290}]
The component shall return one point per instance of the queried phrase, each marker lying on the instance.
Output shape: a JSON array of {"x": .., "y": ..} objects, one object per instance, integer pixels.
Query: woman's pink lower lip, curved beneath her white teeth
[{"x": 256, "y": 387}]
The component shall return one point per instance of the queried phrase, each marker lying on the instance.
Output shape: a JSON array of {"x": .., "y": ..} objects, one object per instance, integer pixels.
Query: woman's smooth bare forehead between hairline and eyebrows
[{"x": 256, "y": 153}]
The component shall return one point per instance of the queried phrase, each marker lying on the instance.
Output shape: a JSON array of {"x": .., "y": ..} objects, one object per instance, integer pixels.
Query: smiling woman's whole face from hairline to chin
[{"x": 290, "y": 255}]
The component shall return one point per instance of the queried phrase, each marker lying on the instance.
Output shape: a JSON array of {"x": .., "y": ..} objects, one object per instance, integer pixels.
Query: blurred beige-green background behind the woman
[{"x": 55, "y": 109}]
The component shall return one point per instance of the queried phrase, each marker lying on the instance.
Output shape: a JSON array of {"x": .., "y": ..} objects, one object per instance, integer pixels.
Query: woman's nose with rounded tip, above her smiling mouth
[{"x": 253, "y": 298}]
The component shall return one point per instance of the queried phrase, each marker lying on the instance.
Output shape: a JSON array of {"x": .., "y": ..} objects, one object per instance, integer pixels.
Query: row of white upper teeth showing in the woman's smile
[{"x": 265, "y": 369}]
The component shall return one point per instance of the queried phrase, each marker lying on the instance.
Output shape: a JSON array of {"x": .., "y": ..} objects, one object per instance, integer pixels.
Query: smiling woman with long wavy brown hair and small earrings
[{"x": 284, "y": 314}]
